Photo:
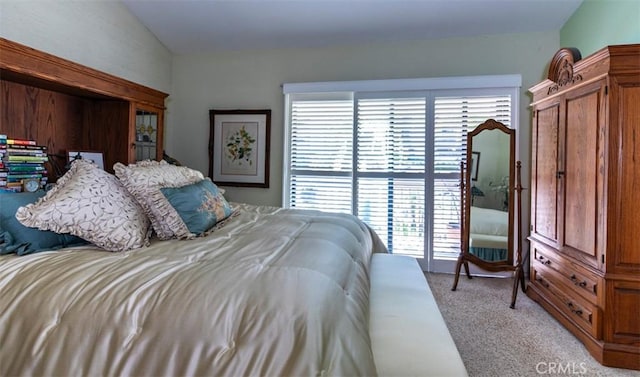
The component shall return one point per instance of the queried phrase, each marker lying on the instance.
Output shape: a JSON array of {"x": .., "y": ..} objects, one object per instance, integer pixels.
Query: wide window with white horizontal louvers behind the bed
[{"x": 389, "y": 152}]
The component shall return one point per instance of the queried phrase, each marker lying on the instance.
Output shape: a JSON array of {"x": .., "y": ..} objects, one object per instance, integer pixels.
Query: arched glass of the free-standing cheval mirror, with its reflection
[{"x": 489, "y": 214}]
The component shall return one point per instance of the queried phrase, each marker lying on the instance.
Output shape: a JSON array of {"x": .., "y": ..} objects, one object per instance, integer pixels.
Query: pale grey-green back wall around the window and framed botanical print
[{"x": 252, "y": 79}]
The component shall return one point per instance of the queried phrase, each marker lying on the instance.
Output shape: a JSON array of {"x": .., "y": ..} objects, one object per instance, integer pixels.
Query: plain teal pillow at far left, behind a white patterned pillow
[{"x": 19, "y": 239}]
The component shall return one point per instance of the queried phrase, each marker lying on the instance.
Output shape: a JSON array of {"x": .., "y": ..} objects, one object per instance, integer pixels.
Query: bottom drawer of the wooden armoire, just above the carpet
[{"x": 580, "y": 311}]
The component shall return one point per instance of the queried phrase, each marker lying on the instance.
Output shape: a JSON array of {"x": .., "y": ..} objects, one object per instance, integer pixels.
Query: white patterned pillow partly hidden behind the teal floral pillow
[{"x": 144, "y": 180}]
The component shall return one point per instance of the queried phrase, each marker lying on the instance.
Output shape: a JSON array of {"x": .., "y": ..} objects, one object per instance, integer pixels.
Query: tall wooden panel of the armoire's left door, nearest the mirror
[{"x": 545, "y": 173}]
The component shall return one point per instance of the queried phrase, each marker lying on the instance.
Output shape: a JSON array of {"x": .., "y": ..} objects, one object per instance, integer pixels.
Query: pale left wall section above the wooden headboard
[{"x": 100, "y": 34}]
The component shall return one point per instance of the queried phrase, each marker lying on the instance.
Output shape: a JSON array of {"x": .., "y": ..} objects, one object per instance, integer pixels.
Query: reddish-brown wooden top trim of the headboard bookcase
[{"x": 32, "y": 67}]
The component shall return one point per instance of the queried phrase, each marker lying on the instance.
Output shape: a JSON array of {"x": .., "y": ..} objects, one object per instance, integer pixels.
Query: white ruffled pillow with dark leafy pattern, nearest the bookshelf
[{"x": 92, "y": 204}]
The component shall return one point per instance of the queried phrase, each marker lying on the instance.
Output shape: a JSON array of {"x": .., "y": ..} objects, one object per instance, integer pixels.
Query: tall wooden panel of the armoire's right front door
[{"x": 582, "y": 175}]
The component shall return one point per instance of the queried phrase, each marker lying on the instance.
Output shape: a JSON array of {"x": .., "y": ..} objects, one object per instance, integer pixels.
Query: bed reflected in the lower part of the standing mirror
[{"x": 488, "y": 235}]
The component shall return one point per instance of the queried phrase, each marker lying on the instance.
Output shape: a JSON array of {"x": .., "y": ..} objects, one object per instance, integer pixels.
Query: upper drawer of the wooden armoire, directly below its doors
[{"x": 569, "y": 273}]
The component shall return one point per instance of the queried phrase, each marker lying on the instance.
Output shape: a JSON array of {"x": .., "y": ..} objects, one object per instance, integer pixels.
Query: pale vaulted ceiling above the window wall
[{"x": 195, "y": 26}]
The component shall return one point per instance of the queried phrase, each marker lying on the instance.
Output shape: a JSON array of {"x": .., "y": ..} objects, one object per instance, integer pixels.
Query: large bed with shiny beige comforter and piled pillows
[{"x": 266, "y": 291}]
